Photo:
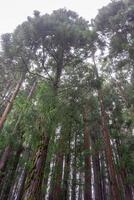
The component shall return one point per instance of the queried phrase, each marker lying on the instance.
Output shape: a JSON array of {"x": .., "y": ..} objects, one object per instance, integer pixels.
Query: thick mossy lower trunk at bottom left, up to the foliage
[{"x": 33, "y": 185}]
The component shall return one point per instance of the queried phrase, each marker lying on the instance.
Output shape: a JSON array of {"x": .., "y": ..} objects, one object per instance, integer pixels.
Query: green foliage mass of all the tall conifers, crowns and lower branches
[{"x": 60, "y": 47}]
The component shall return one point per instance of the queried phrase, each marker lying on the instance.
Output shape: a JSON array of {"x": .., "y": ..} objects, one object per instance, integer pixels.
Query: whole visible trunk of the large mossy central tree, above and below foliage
[{"x": 35, "y": 178}]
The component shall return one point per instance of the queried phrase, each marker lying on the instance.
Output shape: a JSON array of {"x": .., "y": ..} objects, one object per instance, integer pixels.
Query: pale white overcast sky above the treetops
[{"x": 14, "y": 12}]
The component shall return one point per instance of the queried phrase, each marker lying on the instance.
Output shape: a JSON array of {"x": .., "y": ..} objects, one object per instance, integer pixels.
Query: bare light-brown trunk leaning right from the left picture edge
[{"x": 10, "y": 103}]
